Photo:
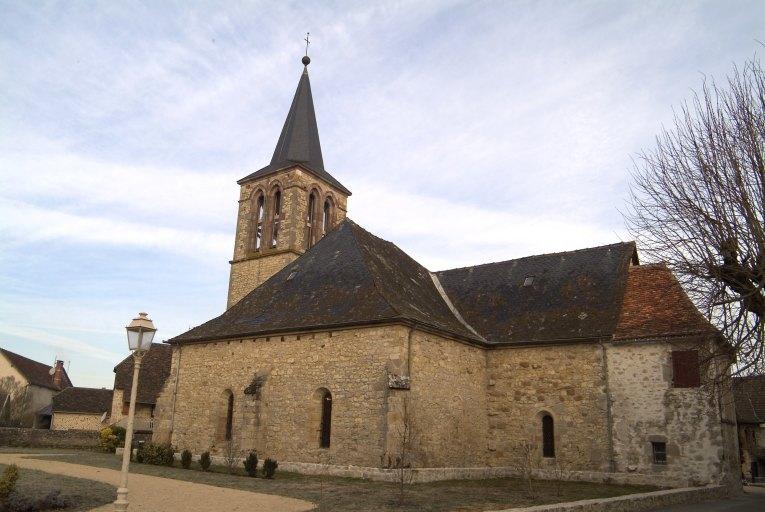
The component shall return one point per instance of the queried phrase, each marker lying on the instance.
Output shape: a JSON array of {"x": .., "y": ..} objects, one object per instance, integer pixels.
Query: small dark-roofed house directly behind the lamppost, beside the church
[{"x": 155, "y": 368}]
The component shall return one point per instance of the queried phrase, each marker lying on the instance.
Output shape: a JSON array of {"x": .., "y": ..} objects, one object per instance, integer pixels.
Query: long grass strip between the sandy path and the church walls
[{"x": 348, "y": 494}]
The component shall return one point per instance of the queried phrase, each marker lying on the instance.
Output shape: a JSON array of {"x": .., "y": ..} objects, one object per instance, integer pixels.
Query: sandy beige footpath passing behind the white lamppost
[{"x": 156, "y": 494}]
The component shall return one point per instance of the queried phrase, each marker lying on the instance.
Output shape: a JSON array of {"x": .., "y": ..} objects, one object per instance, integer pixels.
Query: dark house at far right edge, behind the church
[{"x": 749, "y": 393}]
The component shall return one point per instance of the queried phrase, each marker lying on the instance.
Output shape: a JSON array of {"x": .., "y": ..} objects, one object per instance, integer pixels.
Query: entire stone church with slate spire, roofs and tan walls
[{"x": 340, "y": 353}]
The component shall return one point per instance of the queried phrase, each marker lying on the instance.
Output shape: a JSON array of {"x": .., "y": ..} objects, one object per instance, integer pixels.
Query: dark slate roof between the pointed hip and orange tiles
[{"x": 573, "y": 295}]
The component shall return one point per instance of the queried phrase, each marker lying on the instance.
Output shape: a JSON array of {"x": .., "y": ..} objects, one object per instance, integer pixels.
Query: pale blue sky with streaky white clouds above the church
[{"x": 468, "y": 132}]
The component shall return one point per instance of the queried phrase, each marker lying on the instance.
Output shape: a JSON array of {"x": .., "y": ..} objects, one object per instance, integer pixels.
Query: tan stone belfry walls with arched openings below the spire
[{"x": 249, "y": 268}]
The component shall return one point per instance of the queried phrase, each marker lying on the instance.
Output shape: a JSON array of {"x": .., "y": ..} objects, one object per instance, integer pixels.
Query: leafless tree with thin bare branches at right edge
[{"x": 698, "y": 204}]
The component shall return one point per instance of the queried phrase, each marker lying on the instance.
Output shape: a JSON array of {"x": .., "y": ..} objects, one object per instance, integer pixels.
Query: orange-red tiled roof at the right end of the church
[{"x": 655, "y": 305}]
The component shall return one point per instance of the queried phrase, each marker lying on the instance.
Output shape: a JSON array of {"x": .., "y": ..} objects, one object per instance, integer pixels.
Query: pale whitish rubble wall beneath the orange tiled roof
[{"x": 646, "y": 407}]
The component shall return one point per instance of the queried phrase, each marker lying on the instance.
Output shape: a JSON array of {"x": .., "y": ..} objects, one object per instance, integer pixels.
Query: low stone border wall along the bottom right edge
[{"x": 633, "y": 502}]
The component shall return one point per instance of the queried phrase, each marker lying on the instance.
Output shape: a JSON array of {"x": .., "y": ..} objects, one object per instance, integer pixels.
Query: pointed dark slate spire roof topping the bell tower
[{"x": 299, "y": 141}]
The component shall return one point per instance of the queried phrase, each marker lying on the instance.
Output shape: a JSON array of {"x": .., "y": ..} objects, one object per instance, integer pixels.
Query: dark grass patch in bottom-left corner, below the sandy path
[{"x": 81, "y": 494}]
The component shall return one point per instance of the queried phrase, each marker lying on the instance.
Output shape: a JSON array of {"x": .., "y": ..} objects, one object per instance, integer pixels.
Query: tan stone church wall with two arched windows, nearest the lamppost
[{"x": 281, "y": 420}]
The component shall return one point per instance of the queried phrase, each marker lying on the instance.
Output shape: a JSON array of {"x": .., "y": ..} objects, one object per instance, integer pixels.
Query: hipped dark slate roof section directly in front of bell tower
[{"x": 350, "y": 277}]
